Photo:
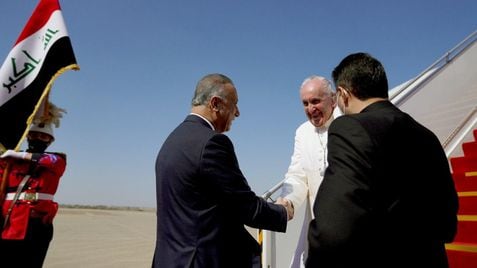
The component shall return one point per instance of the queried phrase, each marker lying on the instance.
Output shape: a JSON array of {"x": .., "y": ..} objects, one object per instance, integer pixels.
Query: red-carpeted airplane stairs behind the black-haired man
[{"x": 462, "y": 252}]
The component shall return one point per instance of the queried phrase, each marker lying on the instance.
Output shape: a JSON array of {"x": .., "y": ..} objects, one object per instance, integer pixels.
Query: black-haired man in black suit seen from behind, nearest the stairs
[{"x": 387, "y": 198}]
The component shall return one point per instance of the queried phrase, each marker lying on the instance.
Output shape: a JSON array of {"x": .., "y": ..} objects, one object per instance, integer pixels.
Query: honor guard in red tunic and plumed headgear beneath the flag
[{"x": 28, "y": 209}]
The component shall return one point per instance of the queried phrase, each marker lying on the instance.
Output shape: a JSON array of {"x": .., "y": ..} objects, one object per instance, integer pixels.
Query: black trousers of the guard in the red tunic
[{"x": 31, "y": 251}]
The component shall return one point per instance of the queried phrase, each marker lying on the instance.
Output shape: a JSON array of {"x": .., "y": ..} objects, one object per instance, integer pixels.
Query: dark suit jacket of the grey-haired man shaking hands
[{"x": 203, "y": 202}]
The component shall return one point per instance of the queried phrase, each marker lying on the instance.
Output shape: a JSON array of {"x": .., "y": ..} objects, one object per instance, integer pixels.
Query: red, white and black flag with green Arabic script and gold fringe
[{"x": 42, "y": 52}]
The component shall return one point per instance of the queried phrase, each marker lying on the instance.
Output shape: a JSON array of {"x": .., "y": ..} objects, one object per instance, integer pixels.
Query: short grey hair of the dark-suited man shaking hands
[{"x": 209, "y": 86}]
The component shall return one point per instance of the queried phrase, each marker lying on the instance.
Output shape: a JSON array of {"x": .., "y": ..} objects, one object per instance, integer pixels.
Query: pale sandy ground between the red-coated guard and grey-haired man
[{"x": 93, "y": 238}]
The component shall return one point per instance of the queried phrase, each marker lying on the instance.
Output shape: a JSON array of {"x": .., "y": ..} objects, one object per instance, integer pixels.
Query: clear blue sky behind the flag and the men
[{"x": 140, "y": 61}]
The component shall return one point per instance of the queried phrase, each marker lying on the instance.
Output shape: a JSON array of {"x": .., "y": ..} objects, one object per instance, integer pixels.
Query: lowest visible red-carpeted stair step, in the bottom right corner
[{"x": 462, "y": 255}]
